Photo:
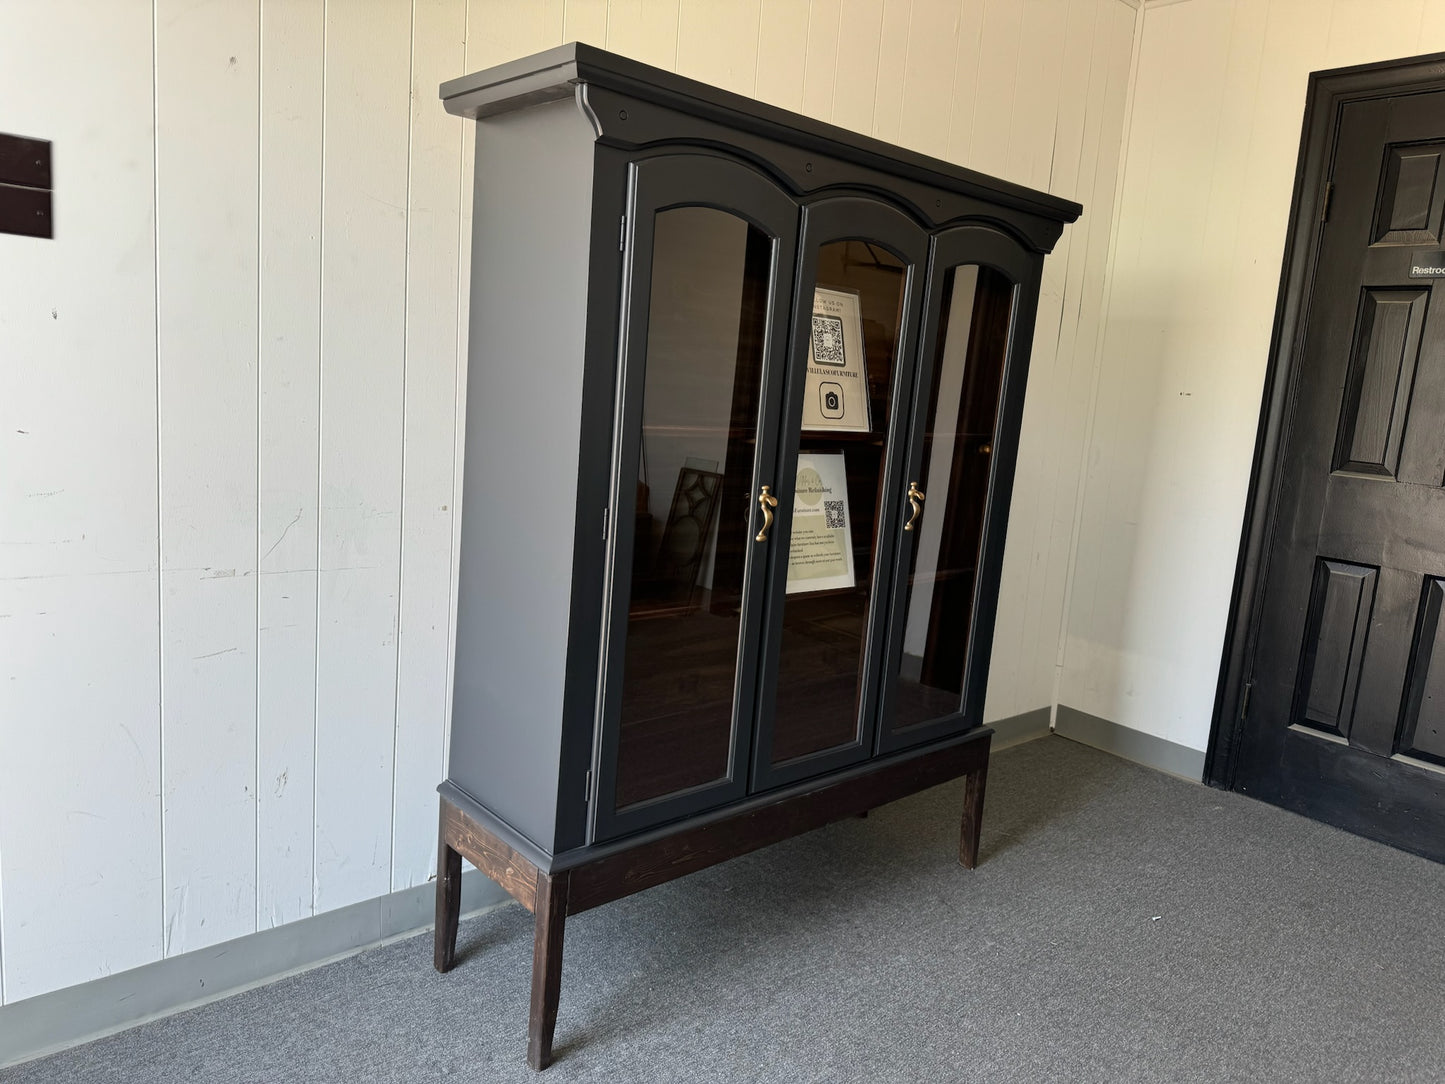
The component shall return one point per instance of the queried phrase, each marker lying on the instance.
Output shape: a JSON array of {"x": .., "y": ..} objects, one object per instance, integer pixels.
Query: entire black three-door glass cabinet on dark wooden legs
[{"x": 743, "y": 405}]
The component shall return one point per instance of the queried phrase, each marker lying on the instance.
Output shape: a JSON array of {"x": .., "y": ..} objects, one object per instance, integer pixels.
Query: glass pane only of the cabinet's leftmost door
[{"x": 706, "y": 333}]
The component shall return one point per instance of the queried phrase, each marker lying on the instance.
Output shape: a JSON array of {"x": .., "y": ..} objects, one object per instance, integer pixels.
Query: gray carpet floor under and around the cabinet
[{"x": 1123, "y": 926}]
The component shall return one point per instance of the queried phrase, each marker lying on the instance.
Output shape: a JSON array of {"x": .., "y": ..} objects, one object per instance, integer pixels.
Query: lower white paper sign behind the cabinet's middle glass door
[{"x": 820, "y": 557}]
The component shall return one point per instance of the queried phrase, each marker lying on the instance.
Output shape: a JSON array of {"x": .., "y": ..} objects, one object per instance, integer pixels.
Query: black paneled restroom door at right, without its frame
[{"x": 1345, "y": 718}]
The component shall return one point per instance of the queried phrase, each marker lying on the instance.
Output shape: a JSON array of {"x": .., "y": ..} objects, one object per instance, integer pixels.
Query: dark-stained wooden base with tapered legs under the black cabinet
[{"x": 554, "y": 895}]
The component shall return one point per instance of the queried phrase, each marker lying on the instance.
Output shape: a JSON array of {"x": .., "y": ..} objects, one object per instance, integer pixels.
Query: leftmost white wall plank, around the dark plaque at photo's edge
[{"x": 80, "y": 736}]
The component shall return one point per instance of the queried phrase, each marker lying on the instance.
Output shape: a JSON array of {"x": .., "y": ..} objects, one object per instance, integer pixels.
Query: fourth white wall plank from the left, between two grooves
[{"x": 363, "y": 337}]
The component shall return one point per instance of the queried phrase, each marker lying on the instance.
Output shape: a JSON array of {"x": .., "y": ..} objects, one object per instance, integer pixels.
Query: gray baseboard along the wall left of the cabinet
[{"x": 66, "y": 1018}]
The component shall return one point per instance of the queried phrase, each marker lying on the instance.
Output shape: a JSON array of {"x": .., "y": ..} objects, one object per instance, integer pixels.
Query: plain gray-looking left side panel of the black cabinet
[{"x": 531, "y": 235}]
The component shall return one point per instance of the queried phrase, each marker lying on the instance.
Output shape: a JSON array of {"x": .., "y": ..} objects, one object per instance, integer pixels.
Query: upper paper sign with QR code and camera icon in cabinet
[{"x": 837, "y": 388}]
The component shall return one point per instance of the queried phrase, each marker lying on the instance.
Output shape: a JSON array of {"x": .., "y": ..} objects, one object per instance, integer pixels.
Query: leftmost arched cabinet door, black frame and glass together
[{"x": 704, "y": 314}]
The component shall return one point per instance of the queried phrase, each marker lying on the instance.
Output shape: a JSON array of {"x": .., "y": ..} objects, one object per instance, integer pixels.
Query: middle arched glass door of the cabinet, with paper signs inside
[{"x": 855, "y": 323}]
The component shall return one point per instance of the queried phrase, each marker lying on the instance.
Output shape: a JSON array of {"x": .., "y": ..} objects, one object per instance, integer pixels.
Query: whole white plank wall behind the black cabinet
[{"x": 229, "y": 414}]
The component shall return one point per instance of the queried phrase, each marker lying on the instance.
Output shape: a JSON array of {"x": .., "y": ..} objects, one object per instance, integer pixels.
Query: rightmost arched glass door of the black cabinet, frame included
[{"x": 946, "y": 557}]
